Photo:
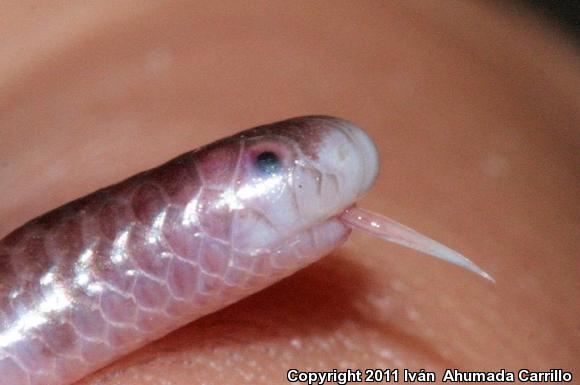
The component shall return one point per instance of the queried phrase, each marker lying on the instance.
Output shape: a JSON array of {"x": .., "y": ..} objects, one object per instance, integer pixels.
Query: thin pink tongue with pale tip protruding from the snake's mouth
[{"x": 391, "y": 231}]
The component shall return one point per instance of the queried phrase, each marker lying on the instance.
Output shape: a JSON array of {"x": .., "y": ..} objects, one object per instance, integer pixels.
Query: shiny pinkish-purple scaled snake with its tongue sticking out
[{"x": 103, "y": 275}]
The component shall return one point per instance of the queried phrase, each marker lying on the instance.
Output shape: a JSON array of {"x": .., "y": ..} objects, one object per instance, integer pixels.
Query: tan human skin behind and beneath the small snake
[{"x": 475, "y": 113}]
